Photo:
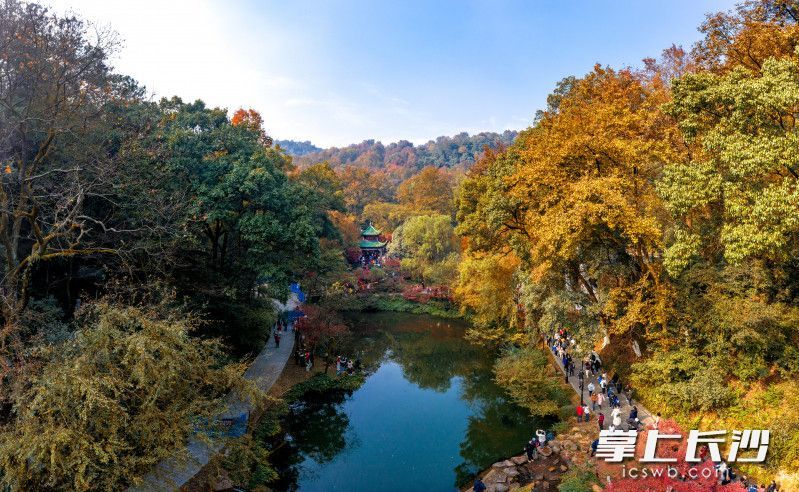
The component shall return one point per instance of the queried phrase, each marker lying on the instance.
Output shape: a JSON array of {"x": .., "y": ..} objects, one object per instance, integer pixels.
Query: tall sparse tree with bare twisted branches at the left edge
[{"x": 54, "y": 81}]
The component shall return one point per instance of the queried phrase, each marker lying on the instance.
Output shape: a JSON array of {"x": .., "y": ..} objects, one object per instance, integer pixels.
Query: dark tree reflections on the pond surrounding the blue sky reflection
[{"x": 431, "y": 353}]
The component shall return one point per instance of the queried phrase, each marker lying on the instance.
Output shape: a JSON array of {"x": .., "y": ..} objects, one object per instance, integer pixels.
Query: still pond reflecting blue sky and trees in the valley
[{"x": 427, "y": 417}]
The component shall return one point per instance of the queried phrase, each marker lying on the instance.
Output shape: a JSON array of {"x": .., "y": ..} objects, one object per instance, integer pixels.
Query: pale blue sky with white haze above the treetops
[{"x": 339, "y": 72}]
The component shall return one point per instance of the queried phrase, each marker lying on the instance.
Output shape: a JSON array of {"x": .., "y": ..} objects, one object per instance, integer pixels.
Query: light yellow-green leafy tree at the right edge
[{"x": 740, "y": 192}]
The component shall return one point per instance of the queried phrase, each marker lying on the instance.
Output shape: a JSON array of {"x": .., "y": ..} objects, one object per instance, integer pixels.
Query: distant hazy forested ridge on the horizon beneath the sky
[{"x": 460, "y": 150}]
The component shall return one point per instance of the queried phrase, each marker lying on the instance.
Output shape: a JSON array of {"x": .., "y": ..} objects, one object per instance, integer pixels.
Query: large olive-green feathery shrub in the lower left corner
[{"x": 113, "y": 401}]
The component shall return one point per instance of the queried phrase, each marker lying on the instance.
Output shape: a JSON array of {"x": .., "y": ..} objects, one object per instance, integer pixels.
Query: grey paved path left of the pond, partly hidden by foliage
[{"x": 172, "y": 473}]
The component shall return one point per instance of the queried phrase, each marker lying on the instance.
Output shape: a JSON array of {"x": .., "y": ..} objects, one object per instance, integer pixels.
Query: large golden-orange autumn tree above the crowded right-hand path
[{"x": 574, "y": 198}]
